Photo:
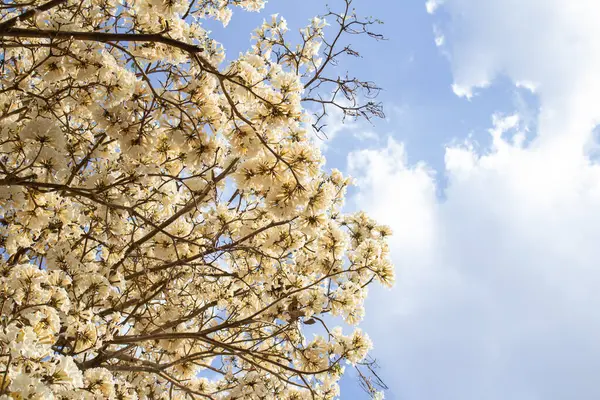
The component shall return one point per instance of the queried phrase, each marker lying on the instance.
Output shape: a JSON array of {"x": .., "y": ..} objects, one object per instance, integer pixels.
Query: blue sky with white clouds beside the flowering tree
[{"x": 486, "y": 169}]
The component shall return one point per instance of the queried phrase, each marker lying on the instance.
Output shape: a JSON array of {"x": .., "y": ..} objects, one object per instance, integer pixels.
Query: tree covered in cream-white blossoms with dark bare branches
[{"x": 166, "y": 227}]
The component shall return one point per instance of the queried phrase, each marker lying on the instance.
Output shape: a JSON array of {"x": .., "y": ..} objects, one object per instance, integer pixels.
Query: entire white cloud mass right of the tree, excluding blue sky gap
[{"x": 499, "y": 283}]
